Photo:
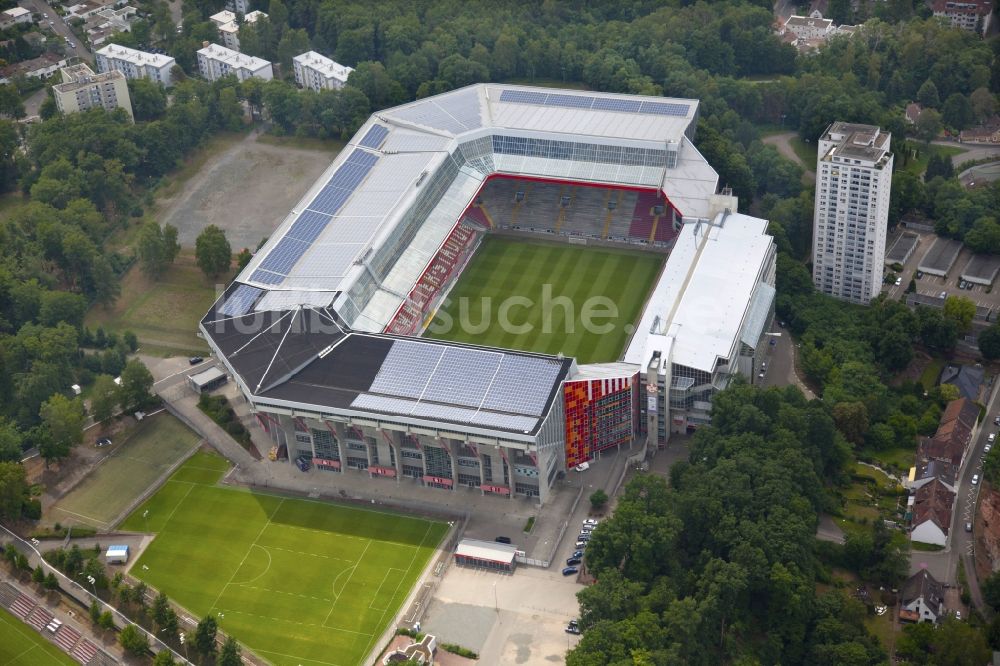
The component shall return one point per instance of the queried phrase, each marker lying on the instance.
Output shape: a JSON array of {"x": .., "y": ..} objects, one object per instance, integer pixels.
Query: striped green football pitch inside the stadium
[{"x": 549, "y": 298}]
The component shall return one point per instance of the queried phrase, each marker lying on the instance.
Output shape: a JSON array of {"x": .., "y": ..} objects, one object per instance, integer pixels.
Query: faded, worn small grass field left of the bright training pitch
[{"x": 157, "y": 443}]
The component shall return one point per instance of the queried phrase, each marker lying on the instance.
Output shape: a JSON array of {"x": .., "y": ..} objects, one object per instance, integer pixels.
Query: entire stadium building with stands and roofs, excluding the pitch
[{"x": 321, "y": 330}]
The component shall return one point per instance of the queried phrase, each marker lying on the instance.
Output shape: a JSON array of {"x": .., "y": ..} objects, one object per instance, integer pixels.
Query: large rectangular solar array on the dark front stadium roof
[{"x": 461, "y": 376}]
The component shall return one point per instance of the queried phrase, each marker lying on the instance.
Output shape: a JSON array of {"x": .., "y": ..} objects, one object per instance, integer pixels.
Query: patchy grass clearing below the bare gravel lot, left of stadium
[{"x": 165, "y": 312}]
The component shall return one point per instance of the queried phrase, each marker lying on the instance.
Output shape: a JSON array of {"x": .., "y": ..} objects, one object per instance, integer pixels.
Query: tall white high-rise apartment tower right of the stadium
[{"x": 853, "y": 181}]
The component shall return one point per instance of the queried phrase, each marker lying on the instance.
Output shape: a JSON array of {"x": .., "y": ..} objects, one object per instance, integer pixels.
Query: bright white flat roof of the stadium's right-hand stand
[{"x": 710, "y": 291}]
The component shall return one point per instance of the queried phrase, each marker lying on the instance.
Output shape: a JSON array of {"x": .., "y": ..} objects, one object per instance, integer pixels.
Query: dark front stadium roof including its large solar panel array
[{"x": 307, "y": 359}]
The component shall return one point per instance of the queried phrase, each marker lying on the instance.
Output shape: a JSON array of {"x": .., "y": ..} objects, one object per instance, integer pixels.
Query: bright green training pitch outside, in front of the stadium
[{"x": 296, "y": 581}]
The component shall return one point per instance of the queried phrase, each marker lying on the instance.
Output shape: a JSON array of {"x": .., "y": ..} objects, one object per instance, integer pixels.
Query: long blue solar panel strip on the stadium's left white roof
[{"x": 312, "y": 221}]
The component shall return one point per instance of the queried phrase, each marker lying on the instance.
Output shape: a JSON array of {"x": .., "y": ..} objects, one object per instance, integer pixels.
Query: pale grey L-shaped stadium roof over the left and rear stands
[{"x": 374, "y": 185}]
